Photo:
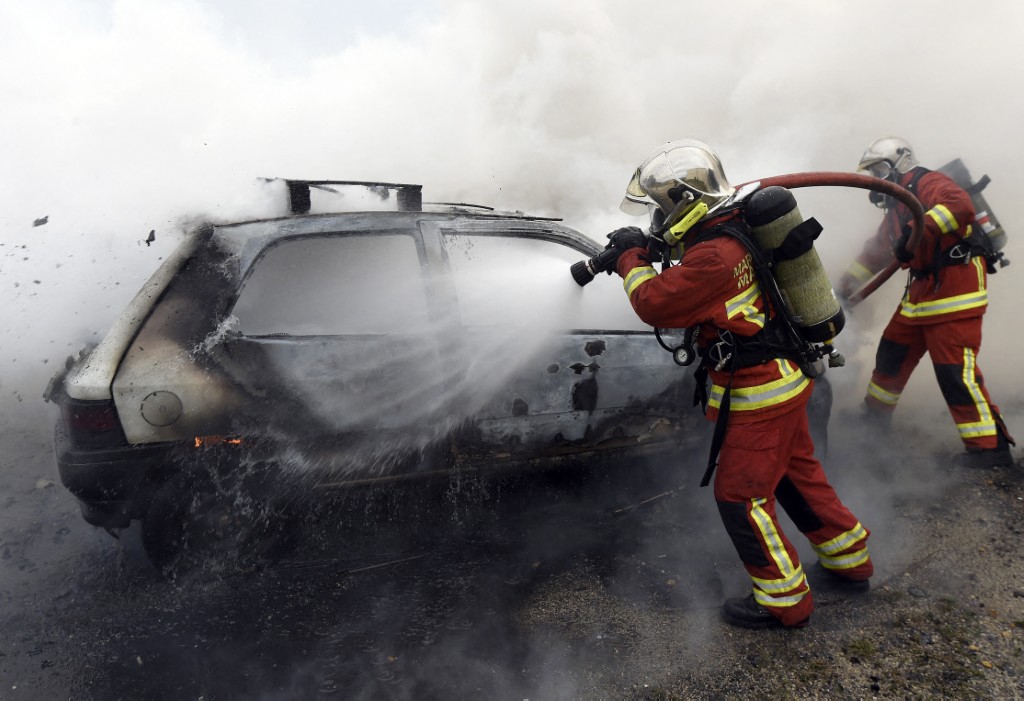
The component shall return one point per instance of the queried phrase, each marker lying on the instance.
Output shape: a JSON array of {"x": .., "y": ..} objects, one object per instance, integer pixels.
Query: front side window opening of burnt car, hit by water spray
[{"x": 523, "y": 280}]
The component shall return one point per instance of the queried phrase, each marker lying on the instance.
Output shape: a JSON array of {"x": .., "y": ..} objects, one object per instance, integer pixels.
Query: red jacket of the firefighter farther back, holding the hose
[{"x": 952, "y": 292}]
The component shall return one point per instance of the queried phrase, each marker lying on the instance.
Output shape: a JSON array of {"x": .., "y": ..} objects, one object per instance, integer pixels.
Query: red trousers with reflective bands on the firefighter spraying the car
[{"x": 773, "y": 461}]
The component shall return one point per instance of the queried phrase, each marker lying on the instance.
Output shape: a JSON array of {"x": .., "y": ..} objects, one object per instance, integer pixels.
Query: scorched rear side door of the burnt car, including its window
[{"x": 333, "y": 336}]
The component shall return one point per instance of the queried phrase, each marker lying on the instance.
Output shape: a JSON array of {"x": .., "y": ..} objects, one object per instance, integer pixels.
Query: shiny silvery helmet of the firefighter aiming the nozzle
[{"x": 677, "y": 173}]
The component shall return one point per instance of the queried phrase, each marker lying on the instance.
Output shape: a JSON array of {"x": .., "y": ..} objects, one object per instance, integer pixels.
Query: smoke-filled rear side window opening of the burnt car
[{"x": 335, "y": 286}]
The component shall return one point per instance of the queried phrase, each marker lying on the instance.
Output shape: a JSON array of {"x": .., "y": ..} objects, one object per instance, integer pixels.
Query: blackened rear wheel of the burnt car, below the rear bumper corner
[{"x": 202, "y": 523}]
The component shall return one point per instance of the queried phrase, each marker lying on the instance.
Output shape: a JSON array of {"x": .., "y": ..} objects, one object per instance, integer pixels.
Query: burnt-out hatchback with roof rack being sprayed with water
[{"x": 326, "y": 350}]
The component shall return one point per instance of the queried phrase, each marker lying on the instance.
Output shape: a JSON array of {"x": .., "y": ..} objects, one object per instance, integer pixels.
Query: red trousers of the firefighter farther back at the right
[{"x": 954, "y": 347}]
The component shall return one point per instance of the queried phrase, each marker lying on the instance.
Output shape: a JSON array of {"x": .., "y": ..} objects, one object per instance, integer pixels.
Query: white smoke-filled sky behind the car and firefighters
[{"x": 119, "y": 118}]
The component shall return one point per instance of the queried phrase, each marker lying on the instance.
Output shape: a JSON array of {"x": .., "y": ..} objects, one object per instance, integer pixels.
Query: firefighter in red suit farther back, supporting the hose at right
[{"x": 943, "y": 309}]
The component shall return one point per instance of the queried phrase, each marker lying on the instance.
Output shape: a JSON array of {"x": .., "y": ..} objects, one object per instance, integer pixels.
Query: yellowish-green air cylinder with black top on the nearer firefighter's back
[{"x": 781, "y": 231}]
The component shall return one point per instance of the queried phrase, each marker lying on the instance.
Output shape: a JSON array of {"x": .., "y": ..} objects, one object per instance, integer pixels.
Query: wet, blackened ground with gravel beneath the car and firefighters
[{"x": 567, "y": 586}]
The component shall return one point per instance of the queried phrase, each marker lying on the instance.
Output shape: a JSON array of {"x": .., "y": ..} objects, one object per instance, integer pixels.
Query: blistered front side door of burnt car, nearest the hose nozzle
[{"x": 548, "y": 365}]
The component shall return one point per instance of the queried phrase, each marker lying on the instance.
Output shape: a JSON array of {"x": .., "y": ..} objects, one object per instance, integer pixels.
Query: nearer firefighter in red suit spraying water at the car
[{"x": 767, "y": 455}]
